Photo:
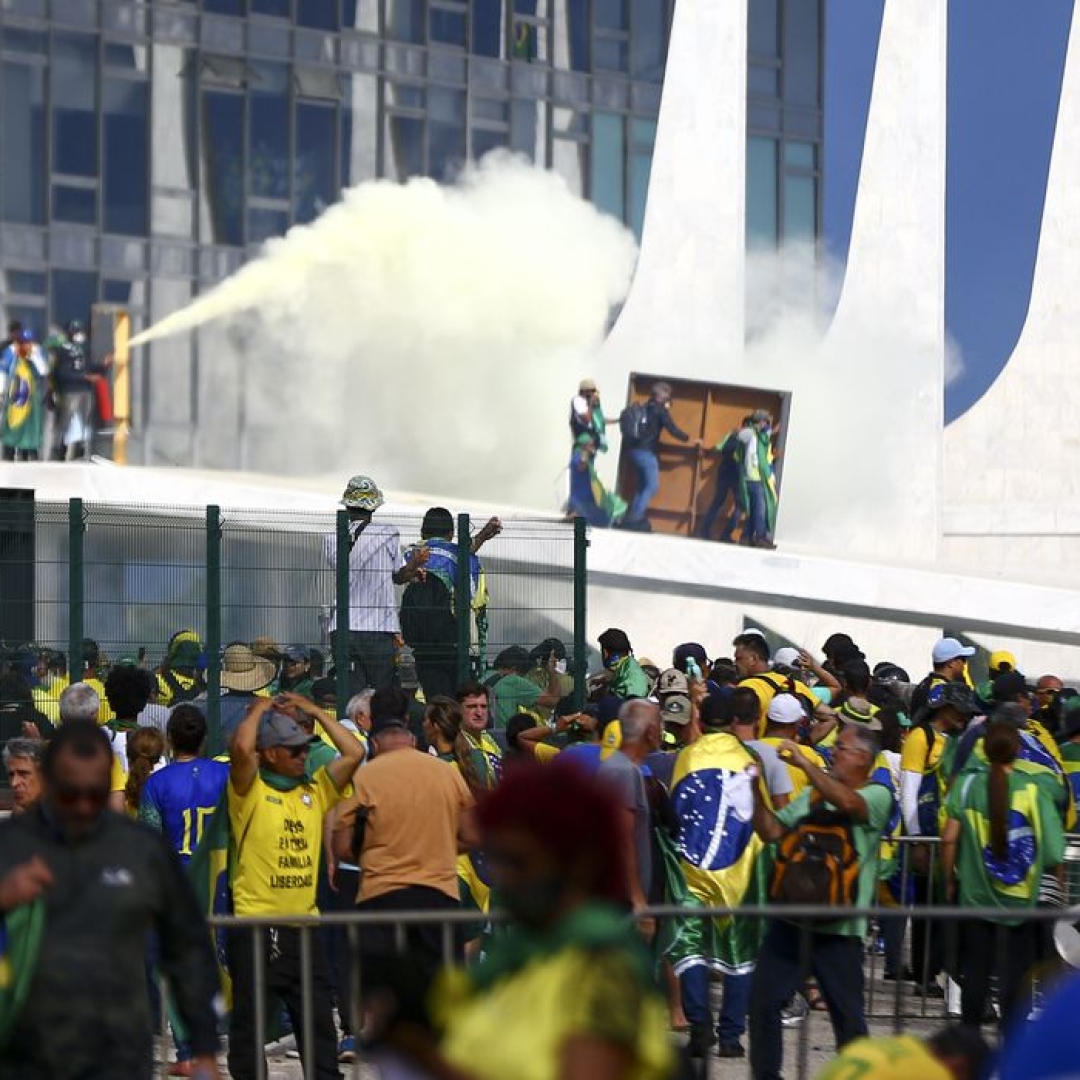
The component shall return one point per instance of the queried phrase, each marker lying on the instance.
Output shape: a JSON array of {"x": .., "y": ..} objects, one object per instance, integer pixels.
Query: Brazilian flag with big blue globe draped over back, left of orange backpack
[{"x": 720, "y": 854}]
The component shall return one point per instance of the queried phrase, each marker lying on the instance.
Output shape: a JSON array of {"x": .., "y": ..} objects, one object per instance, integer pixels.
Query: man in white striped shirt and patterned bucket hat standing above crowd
[{"x": 372, "y": 623}]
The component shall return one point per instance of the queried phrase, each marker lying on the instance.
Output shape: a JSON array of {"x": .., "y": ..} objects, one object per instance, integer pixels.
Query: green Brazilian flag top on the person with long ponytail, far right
[{"x": 1036, "y": 842}]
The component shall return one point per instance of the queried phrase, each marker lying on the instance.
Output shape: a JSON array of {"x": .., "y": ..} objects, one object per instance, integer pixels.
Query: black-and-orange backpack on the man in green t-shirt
[{"x": 817, "y": 861}]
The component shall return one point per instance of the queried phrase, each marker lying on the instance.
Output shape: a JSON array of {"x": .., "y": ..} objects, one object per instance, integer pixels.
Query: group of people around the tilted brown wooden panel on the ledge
[{"x": 745, "y": 496}]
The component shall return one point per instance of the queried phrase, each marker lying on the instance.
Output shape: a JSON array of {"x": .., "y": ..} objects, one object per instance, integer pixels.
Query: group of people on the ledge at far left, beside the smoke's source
[{"x": 53, "y": 396}]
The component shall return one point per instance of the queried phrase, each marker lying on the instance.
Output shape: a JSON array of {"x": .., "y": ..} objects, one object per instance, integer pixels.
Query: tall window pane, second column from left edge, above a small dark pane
[{"x": 74, "y": 77}]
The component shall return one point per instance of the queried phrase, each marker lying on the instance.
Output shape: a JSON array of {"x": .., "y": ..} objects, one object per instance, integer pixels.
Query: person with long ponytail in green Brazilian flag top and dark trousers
[{"x": 1002, "y": 834}]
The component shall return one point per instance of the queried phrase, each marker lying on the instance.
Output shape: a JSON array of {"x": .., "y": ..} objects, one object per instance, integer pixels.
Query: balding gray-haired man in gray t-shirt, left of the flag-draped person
[{"x": 642, "y": 735}]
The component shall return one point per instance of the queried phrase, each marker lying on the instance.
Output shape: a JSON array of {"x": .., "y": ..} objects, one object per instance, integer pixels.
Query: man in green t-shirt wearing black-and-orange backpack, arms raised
[{"x": 847, "y": 812}]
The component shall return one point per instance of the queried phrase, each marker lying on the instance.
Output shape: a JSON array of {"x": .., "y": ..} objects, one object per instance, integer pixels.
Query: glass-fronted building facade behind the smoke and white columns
[{"x": 148, "y": 148}]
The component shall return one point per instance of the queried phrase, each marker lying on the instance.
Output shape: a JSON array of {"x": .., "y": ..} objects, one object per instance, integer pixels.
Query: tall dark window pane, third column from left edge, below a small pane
[{"x": 127, "y": 157}]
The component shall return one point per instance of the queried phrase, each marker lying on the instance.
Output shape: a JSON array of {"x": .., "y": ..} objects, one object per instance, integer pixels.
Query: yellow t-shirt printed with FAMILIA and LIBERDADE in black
[{"x": 279, "y": 839}]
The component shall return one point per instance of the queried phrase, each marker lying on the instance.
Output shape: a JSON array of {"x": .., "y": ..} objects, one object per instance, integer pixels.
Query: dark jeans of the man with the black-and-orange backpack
[{"x": 836, "y": 962}]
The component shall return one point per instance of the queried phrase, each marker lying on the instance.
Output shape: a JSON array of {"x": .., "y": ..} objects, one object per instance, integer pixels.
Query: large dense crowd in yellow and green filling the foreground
[{"x": 556, "y": 815}]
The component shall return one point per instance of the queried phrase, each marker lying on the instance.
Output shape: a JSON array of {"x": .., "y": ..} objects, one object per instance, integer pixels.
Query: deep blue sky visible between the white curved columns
[{"x": 1006, "y": 64}]
